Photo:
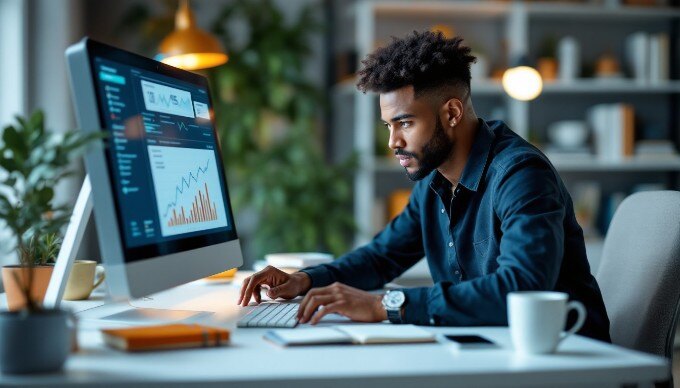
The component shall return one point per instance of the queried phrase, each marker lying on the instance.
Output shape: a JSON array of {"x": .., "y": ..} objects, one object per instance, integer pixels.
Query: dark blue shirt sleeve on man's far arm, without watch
[{"x": 394, "y": 250}]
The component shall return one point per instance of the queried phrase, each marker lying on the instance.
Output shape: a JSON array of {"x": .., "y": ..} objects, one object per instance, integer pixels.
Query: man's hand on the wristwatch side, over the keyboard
[{"x": 339, "y": 298}]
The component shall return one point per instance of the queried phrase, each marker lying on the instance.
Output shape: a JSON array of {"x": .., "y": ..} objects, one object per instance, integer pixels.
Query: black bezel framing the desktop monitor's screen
[{"x": 181, "y": 244}]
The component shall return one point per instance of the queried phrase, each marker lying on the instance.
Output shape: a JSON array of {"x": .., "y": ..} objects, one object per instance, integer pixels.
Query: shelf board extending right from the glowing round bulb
[{"x": 610, "y": 86}]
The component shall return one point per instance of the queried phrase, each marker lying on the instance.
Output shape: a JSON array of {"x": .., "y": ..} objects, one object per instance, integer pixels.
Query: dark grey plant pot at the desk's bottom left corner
[{"x": 34, "y": 342}]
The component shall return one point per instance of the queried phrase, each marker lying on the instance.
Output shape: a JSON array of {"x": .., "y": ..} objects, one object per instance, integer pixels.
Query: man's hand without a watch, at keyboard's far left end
[{"x": 281, "y": 285}]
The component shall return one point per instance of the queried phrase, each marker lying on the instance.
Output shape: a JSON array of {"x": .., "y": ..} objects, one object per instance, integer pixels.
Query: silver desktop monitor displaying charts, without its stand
[{"x": 159, "y": 191}]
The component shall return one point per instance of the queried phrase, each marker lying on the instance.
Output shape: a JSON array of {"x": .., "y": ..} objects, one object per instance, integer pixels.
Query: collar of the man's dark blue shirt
[{"x": 476, "y": 163}]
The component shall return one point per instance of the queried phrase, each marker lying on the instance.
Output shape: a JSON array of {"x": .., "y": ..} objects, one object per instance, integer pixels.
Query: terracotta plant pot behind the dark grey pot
[{"x": 41, "y": 279}]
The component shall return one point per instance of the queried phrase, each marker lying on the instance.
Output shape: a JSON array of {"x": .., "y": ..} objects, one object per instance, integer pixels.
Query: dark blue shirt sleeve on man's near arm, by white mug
[{"x": 531, "y": 210}]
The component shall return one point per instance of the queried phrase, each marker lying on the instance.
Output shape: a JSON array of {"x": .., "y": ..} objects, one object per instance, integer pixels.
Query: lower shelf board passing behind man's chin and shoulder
[{"x": 387, "y": 165}]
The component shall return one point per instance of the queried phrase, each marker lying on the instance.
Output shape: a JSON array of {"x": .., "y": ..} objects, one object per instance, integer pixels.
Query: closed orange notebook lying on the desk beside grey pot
[{"x": 172, "y": 336}]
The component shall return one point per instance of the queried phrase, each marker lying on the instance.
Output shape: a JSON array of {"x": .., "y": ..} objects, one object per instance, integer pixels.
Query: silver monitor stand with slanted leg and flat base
[{"x": 62, "y": 268}]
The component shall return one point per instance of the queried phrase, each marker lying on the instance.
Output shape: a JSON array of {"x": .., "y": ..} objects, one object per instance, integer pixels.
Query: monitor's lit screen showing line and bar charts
[{"x": 163, "y": 158}]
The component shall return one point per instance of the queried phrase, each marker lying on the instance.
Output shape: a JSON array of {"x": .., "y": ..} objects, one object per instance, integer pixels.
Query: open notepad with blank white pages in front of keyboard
[{"x": 350, "y": 334}]
